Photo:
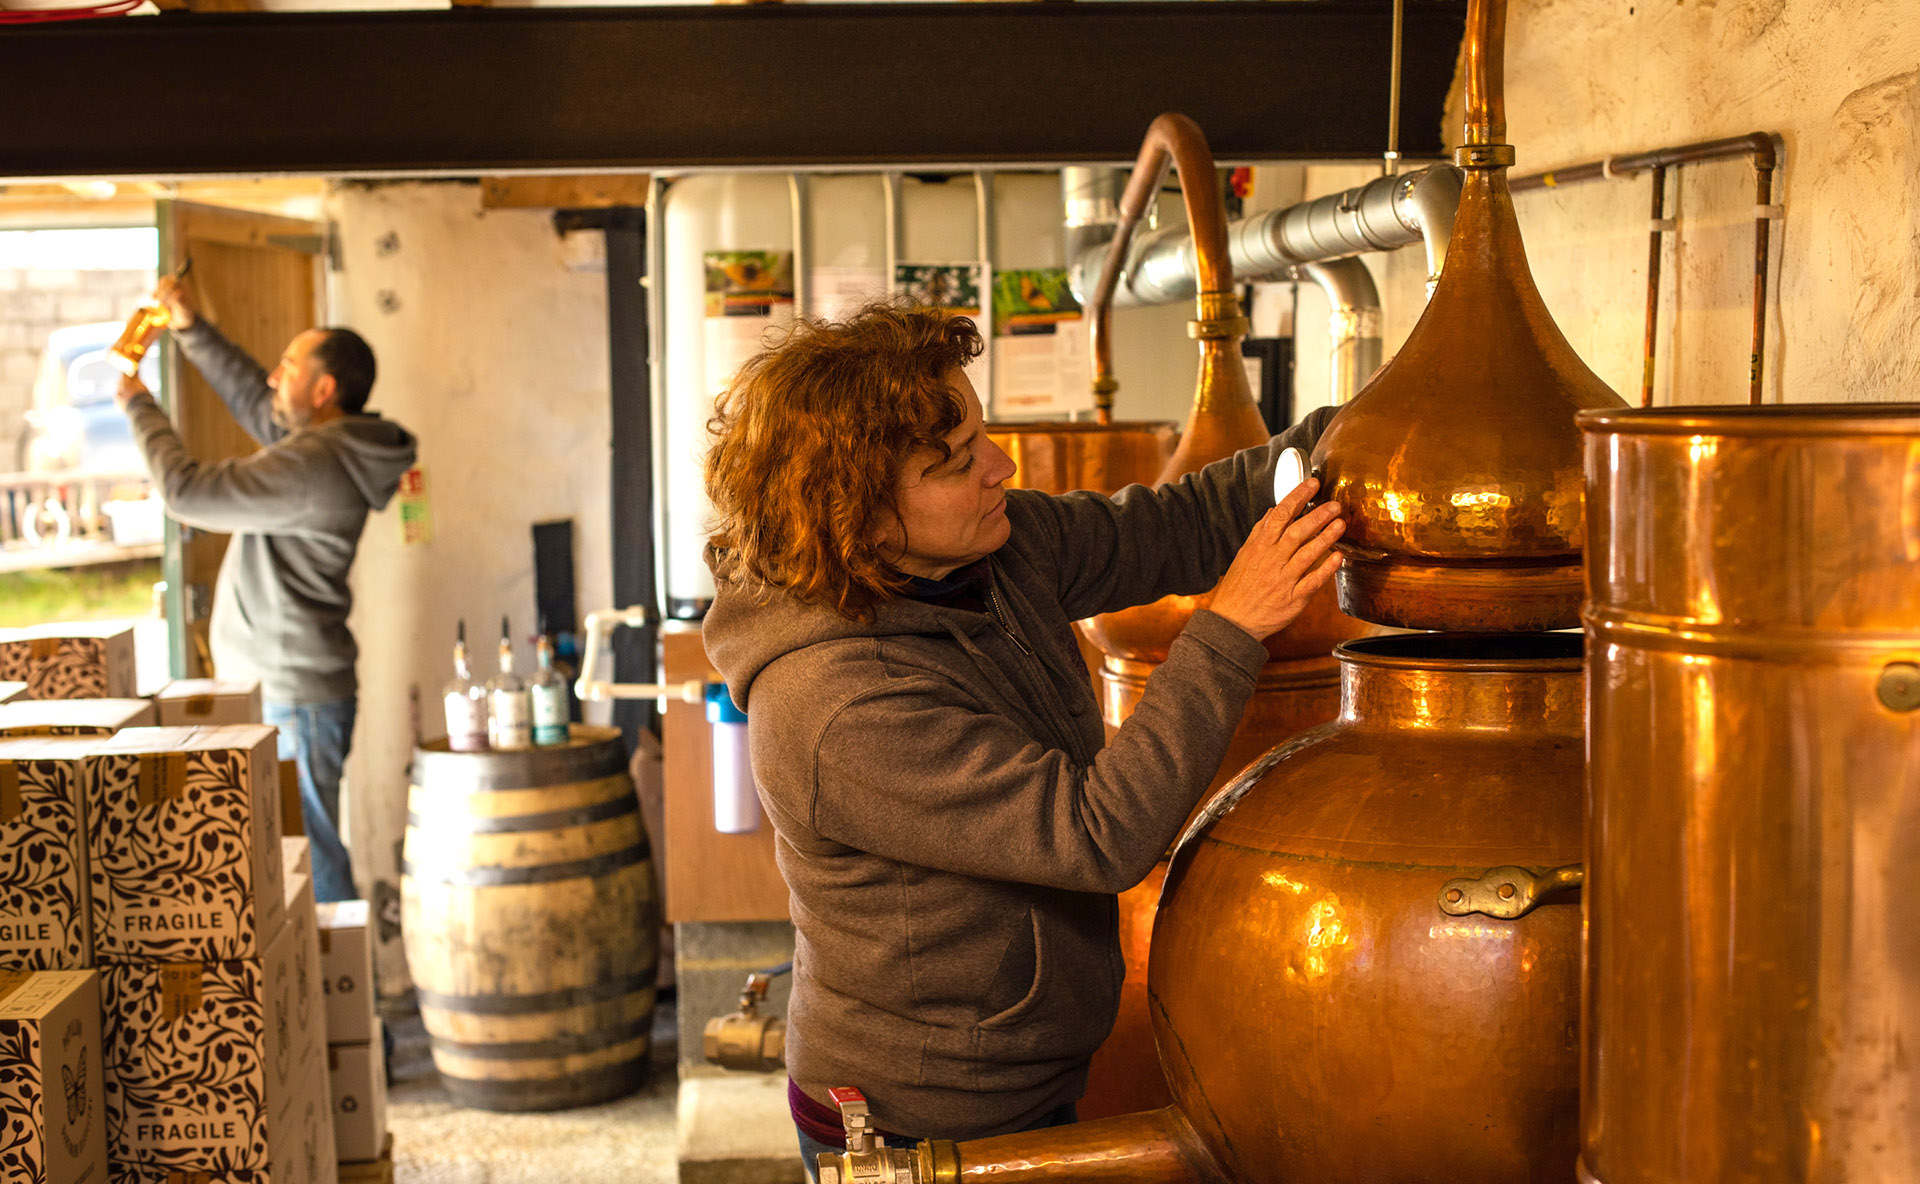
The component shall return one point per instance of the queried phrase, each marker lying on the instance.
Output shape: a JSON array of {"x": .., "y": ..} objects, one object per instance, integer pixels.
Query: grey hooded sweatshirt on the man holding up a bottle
[{"x": 295, "y": 511}]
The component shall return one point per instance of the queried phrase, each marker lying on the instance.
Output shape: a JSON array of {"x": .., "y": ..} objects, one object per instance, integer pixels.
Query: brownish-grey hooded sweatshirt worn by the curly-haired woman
[{"x": 949, "y": 815}]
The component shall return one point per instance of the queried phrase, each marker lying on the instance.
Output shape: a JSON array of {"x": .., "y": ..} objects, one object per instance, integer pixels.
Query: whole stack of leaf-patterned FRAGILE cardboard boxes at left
[{"x": 164, "y": 1018}]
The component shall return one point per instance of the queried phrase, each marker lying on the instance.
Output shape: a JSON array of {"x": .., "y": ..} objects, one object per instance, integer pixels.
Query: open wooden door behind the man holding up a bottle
[{"x": 258, "y": 279}]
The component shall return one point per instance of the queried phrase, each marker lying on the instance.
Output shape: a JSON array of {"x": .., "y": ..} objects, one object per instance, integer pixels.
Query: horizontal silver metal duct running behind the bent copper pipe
[{"x": 1381, "y": 216}]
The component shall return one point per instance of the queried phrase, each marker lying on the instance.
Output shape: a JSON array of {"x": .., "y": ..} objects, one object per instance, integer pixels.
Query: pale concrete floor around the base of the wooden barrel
[{"x": 621, "y": 1143}]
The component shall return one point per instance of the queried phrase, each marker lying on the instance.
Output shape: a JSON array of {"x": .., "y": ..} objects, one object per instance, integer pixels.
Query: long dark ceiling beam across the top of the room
[{"x": 487, "y": 91}]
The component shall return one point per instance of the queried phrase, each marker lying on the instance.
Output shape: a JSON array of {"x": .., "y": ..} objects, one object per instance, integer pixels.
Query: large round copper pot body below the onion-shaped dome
[{"x": 1318, "y": 1016}]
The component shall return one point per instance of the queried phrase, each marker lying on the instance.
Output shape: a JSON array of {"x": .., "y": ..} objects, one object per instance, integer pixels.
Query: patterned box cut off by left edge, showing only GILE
[{"x": 45, "y": 891}]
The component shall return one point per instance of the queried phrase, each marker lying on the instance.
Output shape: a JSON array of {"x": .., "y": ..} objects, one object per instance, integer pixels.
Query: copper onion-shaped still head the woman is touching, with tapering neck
[{"x": 1460, "y": 463}]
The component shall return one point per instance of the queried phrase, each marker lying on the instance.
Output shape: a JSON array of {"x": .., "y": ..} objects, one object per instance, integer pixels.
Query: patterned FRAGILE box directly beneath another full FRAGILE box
[{"x": 203, "y": 1058}]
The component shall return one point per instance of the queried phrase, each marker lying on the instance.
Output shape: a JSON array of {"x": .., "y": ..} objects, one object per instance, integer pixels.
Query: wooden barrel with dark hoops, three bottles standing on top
[{"x": 531, "y": 920}]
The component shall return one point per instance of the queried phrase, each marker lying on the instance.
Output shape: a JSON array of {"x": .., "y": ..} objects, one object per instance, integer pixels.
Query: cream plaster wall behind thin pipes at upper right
[{"x": 1836, "y": 80}]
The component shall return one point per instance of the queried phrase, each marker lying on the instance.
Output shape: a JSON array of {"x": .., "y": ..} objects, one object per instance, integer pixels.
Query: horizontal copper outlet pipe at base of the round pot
[{"x": 1149, "y": 1148}]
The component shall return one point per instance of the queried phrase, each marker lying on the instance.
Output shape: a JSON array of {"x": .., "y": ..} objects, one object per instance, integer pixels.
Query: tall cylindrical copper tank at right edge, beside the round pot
[{"x": 1754, "y": 959}]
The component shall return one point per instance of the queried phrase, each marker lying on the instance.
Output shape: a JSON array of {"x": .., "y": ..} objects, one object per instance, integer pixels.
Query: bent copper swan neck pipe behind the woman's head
[{"x": 1172, "y": 139}]
